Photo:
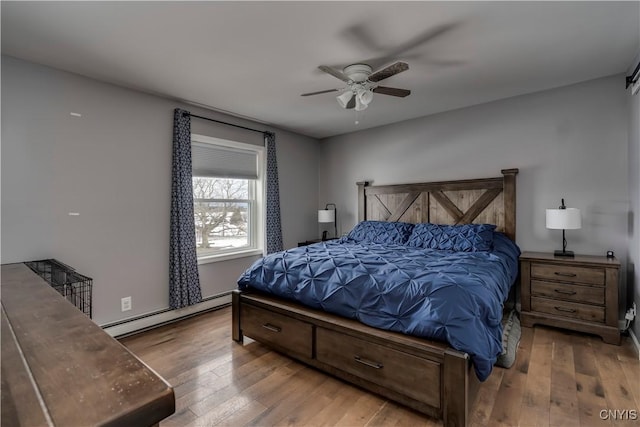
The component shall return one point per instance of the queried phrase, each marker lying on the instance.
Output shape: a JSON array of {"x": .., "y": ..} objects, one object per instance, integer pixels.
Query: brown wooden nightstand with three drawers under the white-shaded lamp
[{"x": 578, "y": 293}]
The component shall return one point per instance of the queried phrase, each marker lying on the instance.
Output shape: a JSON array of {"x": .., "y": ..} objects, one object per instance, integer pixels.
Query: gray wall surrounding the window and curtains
[{"x": 113, "y": 166}]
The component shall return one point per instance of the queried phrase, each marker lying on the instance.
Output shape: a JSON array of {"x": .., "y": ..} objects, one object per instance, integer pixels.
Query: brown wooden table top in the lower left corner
[{"x": 61, "y": 369}]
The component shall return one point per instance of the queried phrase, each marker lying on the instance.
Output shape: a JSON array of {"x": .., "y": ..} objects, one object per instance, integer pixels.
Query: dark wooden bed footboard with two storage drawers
[{"x": 425, "y": 375}]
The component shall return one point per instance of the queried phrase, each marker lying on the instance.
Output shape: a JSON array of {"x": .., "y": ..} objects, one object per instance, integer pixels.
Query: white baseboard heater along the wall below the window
[{"x": 153, "y": 320}]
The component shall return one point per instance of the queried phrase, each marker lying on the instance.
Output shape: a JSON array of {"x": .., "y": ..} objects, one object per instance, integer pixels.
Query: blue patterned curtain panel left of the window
[{"x": 184, "y": 282}]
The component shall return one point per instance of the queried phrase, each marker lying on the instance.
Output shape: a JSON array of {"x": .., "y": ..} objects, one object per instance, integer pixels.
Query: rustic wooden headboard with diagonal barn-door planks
[{"x": 480, "y": 201}]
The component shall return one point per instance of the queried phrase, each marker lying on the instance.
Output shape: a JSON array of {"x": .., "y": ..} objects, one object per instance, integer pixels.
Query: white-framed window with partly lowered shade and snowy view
[{"x": 227, "y": 197}]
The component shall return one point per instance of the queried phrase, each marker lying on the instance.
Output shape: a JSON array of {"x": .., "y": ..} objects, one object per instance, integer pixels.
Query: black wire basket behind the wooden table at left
[{"x": 75, "y": 287}]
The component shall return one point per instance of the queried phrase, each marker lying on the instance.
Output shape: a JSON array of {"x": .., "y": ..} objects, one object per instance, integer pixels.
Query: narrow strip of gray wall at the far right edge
[{"x": 634, "y": 196}]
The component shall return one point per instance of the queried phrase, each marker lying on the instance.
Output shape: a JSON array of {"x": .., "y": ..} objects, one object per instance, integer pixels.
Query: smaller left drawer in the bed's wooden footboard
[{"x": 277, "y": 330}]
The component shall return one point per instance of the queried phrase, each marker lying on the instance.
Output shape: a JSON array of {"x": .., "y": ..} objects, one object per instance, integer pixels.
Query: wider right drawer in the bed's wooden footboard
[{"x": 402, "y": 372}]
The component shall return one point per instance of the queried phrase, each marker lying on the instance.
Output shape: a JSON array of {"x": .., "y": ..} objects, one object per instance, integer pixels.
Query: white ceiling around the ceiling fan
[{"x": 254, "y": 59}]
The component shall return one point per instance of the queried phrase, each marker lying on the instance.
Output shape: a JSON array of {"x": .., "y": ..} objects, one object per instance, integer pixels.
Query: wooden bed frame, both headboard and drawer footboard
[{"x": 428, "y": 376}]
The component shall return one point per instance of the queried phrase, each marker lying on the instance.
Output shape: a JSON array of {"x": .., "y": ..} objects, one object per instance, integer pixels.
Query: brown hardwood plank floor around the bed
[{"x": 560, "y": 378}]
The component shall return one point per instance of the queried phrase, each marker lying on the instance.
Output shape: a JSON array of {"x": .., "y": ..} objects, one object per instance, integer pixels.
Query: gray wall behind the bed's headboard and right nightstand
[{"x": 569, "y": 142}]
